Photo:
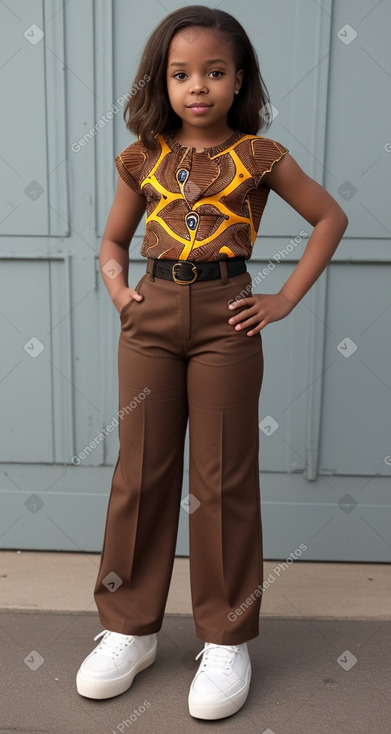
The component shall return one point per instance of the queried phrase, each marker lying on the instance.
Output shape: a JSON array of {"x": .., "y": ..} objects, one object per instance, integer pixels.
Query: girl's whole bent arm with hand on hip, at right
[{"x": 316, "y": 205}]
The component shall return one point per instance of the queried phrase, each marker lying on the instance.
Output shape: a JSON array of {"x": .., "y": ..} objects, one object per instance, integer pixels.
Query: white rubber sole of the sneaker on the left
[{"x": 94, "y": 688}]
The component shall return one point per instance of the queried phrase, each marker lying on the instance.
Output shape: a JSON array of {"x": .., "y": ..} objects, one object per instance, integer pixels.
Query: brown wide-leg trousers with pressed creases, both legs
[{"x": 180, "y": 360}]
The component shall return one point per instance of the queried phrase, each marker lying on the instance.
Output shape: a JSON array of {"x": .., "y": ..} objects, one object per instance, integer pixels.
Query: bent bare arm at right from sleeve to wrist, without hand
[{"x": 316, "y": 205}]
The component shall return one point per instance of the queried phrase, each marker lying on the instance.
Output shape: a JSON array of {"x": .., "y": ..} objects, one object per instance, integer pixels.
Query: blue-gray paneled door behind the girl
[{"x": 325, "y": 406}]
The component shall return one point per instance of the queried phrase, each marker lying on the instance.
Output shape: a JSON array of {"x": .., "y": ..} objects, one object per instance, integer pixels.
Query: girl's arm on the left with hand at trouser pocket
[{"x": 125, "y": 214}]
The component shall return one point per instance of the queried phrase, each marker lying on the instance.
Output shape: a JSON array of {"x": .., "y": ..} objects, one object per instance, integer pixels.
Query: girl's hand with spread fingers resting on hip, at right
[{"x": 260, "y": 310}]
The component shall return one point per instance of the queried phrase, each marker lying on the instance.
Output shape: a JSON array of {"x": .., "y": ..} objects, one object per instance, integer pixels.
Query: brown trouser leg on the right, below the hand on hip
[{"x": 224, "y": 380}]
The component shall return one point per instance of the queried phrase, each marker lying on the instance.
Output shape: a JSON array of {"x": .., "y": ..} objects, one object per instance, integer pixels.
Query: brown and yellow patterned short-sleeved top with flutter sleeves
[{"x": 205, "y": 205}]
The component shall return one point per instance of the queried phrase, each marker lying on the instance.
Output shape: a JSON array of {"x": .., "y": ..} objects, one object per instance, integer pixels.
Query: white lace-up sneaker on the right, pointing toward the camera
[{"x": 221, "y": 684}]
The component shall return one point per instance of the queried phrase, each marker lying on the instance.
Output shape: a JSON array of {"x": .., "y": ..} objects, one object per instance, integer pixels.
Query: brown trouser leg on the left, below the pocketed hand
[{"x": 143, "y": 512}]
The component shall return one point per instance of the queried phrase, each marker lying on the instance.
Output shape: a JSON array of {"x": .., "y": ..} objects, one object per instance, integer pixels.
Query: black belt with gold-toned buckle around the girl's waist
[{"x": 186, "y": 271}]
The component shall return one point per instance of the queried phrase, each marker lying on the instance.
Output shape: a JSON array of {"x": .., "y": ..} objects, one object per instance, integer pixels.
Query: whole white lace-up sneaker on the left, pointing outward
[{"x": 109, "y": 669}]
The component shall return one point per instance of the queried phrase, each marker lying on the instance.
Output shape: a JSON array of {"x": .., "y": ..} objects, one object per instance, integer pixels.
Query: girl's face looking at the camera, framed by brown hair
[{"x": 201, "y": 69}]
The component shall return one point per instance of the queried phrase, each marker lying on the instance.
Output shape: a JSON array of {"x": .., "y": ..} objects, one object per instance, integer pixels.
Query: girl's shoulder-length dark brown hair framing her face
[{"x": 148, "y": 112}]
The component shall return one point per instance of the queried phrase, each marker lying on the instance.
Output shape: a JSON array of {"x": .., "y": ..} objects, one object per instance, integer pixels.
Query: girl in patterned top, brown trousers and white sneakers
[{"x": 190, "y": 349}]
